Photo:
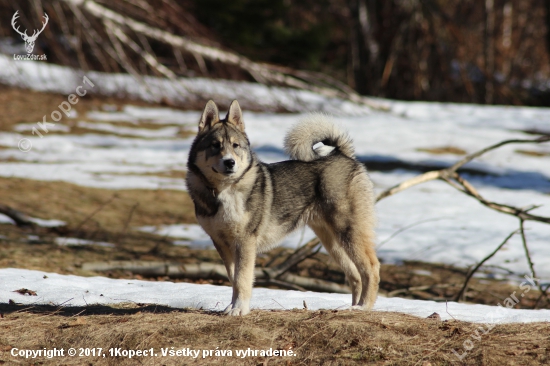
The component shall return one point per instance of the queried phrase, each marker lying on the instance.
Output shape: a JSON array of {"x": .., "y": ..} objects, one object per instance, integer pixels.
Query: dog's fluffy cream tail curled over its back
[{"x": 302, "y": 141}]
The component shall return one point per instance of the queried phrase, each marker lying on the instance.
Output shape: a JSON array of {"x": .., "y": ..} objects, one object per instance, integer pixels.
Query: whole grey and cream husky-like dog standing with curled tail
[{"x": 247, "y": 206}]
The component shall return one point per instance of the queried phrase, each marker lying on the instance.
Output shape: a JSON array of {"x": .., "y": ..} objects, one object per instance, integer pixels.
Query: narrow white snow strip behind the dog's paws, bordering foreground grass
[{"x": 70, "y": 290}]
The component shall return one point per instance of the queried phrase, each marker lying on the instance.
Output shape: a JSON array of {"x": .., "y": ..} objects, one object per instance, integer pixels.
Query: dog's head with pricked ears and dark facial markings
[{"x": 221, "y": 150}]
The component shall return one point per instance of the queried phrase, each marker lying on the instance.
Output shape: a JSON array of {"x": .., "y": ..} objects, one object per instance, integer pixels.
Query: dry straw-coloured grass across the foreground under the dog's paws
[{"x": 317, "y": 337}]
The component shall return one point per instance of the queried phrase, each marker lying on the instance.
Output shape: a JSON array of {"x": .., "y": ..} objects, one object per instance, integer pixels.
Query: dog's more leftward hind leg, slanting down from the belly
[{"x": 341, "y": 257}]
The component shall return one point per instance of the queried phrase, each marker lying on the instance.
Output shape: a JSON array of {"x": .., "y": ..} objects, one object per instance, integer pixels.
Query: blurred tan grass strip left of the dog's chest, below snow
[{"x": 73, "y": 204}]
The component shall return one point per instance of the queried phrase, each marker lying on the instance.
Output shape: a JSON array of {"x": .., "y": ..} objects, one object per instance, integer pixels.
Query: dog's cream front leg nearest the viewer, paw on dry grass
[{"x": 245, "y": 258}]
